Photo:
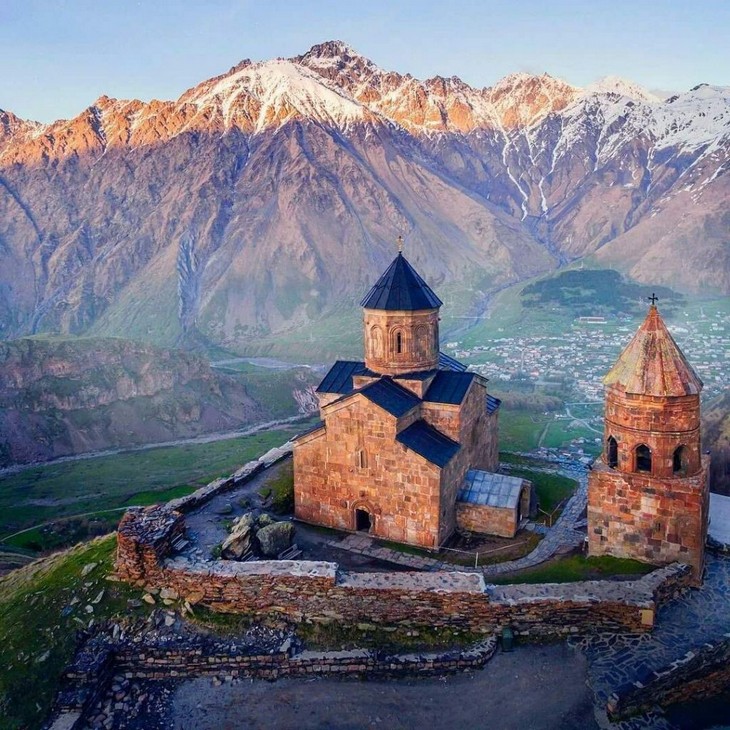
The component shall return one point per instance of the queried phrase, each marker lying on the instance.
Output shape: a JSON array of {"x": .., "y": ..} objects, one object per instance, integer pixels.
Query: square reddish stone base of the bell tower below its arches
[{"x": 647, "y": 518}]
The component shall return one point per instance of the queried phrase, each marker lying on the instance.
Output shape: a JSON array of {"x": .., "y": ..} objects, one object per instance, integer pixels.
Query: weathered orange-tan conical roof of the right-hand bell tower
[{"x": 653, "y": 364}]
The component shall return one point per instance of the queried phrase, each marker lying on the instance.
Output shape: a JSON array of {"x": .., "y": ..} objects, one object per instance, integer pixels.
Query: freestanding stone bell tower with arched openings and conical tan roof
[{"x": 648, "y": 494}]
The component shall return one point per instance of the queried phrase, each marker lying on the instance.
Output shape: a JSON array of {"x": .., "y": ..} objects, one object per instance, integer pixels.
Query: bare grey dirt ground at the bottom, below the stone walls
[{"x": 538, "y": 688}]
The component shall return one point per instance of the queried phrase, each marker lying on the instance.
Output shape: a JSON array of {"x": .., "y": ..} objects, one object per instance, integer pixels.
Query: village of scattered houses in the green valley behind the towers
[{"x": 571, "y": 362}]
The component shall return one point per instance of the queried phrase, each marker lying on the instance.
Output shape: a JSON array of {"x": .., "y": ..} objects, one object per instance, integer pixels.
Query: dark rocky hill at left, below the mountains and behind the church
[{"x": 71, "y": 396}]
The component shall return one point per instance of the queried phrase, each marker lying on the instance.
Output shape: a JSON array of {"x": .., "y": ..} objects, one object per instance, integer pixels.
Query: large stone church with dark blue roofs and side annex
[{"x": 407, "y": 444}]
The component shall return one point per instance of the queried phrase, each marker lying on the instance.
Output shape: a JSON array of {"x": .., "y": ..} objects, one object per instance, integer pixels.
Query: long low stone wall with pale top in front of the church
[{"x": 319, "y": 592}]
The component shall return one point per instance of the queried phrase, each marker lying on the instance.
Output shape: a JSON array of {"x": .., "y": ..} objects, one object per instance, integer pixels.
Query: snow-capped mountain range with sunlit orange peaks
[{"x": 262, "y": 198}]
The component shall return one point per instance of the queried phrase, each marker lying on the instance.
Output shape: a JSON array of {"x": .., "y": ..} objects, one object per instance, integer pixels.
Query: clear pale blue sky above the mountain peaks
[{"x": 58, "y": 56}]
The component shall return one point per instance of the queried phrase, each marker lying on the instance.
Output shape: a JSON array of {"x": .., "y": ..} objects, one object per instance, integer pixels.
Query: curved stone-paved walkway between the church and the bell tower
[{"x": 565, "y": 534}]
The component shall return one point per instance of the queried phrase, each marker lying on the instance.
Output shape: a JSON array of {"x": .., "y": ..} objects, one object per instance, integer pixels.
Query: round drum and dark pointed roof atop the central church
[{"x": 400, "y": 316}]
